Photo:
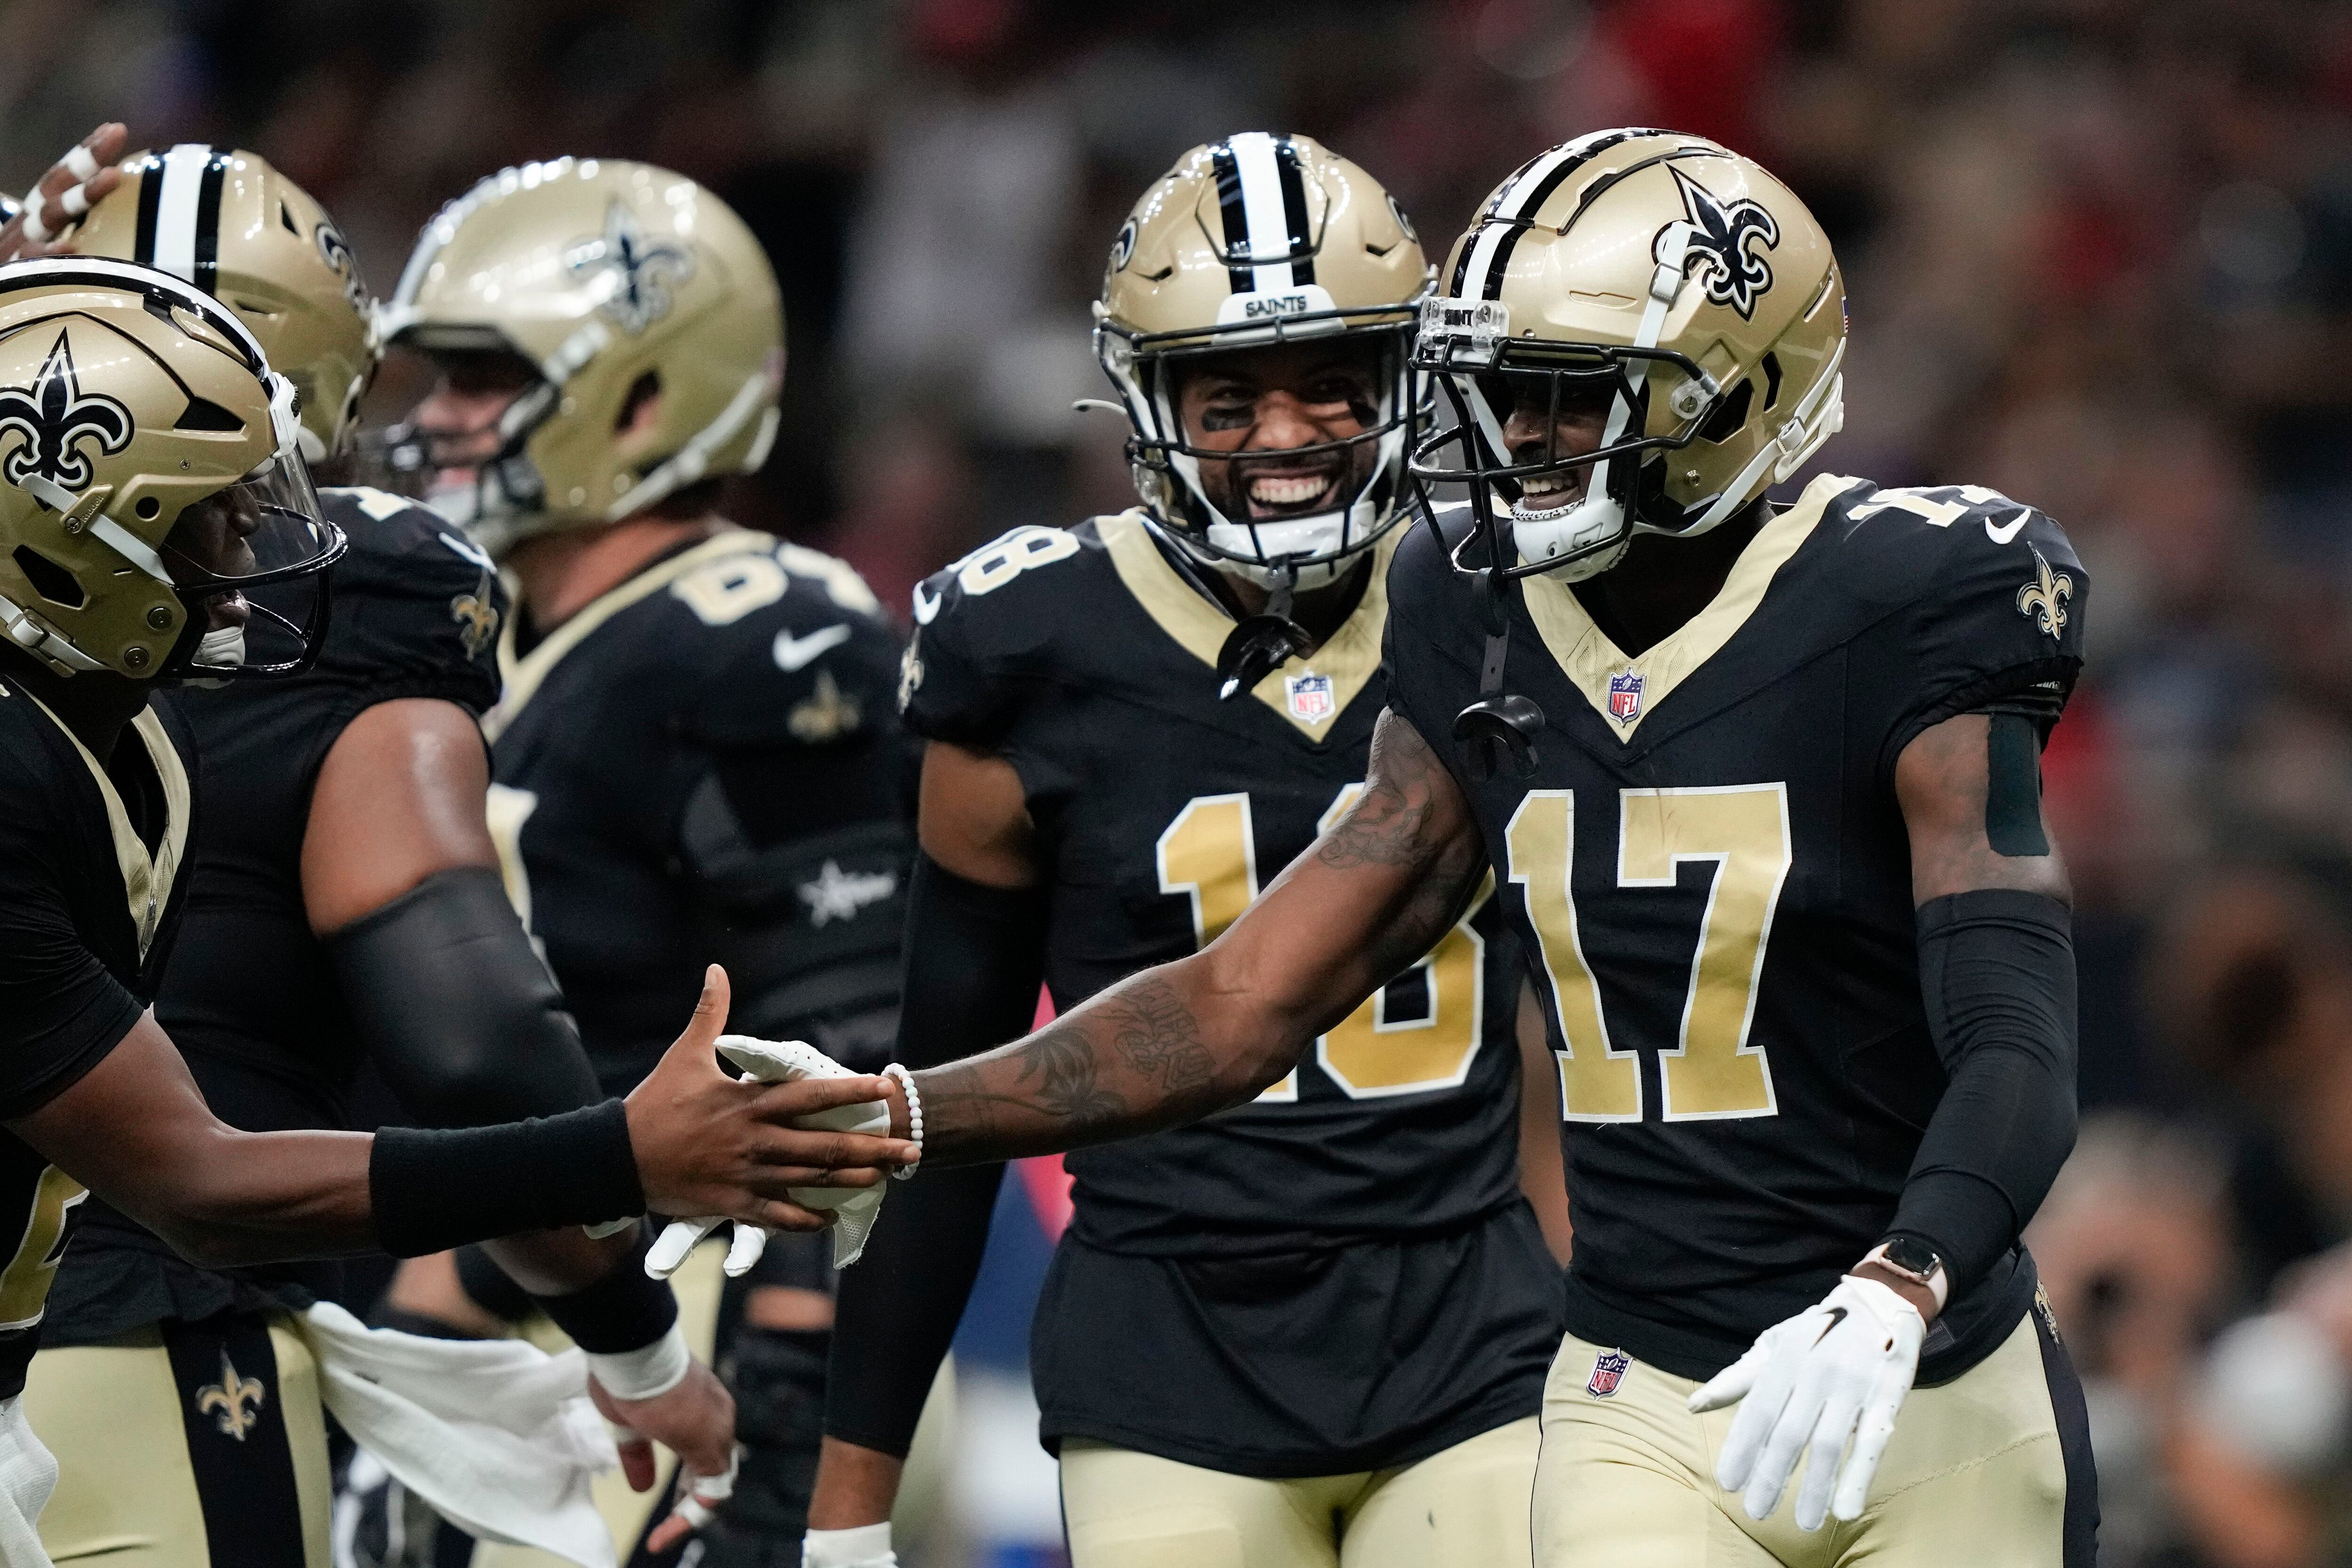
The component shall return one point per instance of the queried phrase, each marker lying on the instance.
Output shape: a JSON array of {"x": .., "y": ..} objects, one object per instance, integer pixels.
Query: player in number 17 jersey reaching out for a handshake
[{"x": 1758, "y": 786}]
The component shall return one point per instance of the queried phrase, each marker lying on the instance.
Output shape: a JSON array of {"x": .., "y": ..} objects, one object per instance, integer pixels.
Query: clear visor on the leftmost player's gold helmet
[{"x": 250, "y": 563}]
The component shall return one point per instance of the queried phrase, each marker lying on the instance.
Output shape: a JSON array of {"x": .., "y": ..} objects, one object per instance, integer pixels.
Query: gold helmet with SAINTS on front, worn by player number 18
[{"x": 1245, "y": 243}]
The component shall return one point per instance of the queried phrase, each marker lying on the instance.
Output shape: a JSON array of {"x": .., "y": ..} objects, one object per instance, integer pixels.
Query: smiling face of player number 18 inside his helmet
[{"x": 1269, "y": 406}]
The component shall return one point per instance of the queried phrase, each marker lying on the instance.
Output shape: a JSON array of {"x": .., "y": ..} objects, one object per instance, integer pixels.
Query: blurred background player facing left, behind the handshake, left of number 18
[{"x": 697, "y": 751}]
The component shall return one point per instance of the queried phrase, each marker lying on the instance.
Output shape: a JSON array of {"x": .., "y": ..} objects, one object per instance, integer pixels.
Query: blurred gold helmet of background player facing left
[{"x": 610, "y": 279}]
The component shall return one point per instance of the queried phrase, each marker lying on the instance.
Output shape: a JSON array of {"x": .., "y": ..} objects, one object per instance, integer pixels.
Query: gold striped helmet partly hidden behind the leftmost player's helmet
[{"x": 241, "y": 232}]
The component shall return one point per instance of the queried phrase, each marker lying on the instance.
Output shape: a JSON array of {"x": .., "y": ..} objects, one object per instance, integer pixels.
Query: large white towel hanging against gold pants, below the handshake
[{"x": 497, "y": 1435}]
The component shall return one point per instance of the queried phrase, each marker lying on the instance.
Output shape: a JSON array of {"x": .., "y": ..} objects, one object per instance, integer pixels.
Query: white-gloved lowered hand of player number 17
[{"x": 1831, "y": 1374}]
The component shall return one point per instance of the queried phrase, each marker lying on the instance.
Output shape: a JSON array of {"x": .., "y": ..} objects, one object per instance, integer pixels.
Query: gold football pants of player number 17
[{"x": 1989, "y": 1470}]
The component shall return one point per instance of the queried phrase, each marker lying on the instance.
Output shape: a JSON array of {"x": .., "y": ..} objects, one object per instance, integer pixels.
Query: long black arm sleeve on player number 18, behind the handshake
[{"x": 975, "y": 958}]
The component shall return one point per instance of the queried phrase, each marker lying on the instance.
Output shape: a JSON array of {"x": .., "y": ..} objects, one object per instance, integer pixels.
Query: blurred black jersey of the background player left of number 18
[{"x": 704, "y": 765}]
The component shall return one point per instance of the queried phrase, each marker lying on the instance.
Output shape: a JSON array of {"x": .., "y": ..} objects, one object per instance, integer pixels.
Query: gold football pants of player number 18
[{"x": 1462, "y": 1508}]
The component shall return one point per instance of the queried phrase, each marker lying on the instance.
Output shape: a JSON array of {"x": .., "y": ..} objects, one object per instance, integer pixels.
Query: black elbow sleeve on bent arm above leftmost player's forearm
[{"x": 457, "y": 1010}]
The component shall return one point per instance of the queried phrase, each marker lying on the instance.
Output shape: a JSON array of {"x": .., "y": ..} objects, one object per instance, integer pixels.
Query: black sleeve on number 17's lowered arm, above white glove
[{"x": 1998, "y": 977}]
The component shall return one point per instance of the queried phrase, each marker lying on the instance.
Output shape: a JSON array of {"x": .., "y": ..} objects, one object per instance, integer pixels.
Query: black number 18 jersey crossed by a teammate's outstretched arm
[{"x": 1085, "y": 659}]
